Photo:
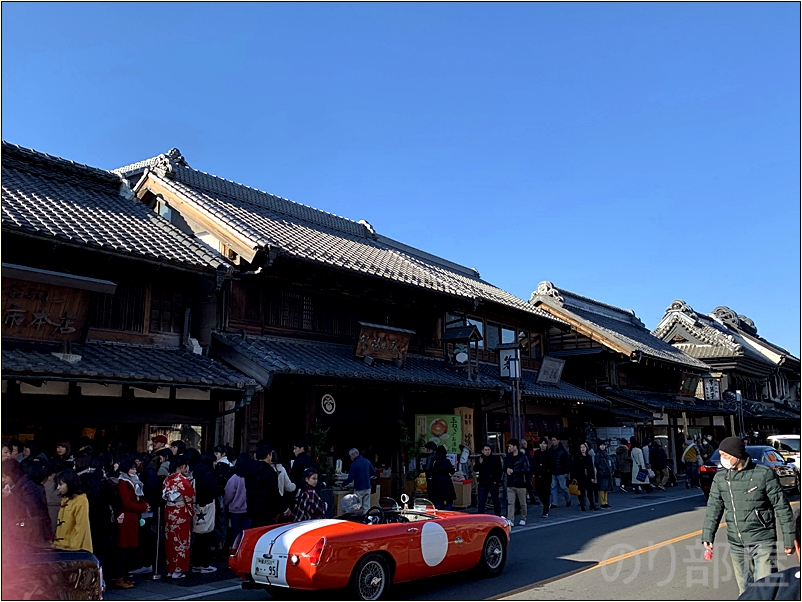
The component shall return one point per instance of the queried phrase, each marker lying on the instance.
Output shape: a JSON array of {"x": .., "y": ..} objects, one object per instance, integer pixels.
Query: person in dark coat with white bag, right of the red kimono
[{"x": 207, "y": 490}]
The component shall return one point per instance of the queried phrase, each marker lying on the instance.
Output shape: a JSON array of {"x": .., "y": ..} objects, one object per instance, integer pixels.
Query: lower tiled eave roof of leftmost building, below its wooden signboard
[{"x": 118, "y": 362}]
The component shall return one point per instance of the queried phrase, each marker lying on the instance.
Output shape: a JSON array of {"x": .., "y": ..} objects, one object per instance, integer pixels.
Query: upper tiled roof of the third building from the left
[{"x": 621, "y": 325}]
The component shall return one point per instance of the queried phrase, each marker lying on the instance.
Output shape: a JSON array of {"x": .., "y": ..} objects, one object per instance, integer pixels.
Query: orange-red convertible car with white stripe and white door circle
[{"x": 367, "y": 554}]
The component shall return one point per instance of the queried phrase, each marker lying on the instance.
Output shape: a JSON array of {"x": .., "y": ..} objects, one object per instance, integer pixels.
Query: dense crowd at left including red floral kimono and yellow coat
[{"x": 125, "y": 506}]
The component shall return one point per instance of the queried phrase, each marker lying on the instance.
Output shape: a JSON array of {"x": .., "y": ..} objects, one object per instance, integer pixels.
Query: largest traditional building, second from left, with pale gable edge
[{"x": 343, "y": 326}]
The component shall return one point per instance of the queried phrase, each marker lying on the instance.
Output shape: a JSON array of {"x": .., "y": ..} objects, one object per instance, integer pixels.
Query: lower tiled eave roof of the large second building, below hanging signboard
[{"x": 280, "y": 355}]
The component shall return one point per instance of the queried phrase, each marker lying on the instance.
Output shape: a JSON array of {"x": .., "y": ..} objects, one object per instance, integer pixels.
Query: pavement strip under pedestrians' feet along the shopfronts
[{"x": 196, "y": 586}]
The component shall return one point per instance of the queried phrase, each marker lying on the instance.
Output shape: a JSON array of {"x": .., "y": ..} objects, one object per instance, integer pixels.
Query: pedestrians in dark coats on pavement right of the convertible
[{"x": 546, "y": 473}]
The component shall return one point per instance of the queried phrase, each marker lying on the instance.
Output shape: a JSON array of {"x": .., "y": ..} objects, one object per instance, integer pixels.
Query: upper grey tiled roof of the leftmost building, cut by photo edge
[{"x": 54, "y": 198}]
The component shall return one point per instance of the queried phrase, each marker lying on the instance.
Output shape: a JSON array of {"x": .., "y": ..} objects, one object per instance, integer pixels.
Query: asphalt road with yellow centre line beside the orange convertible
[{"x": 652, "y": 552}]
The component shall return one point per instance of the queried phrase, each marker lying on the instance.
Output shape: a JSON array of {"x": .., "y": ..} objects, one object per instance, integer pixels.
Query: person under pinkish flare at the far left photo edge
[{"x": 25, "y": 516}]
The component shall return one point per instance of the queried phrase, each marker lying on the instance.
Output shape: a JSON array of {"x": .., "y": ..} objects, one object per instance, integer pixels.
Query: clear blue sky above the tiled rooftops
[{"x": 634, "y": 153}]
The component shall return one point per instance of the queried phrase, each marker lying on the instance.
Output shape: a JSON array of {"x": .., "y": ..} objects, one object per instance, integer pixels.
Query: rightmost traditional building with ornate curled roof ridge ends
[{"x": 756, "y": 379}]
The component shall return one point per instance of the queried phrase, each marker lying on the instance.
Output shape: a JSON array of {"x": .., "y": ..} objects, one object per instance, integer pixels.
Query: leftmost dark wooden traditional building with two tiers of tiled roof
[{"x": 106, "y": 307}]
